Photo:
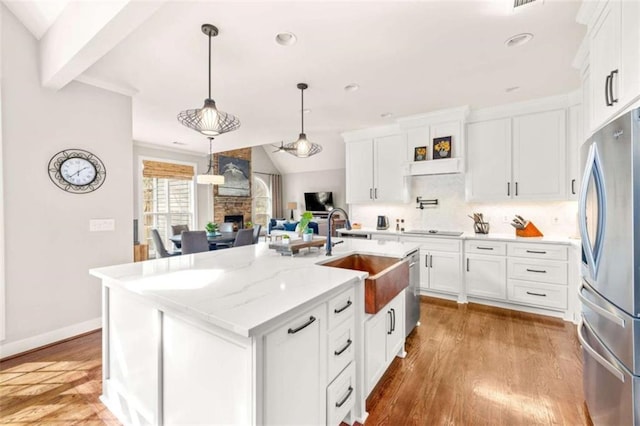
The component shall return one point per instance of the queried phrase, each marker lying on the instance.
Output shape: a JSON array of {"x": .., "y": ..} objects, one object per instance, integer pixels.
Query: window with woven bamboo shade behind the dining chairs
[{"x": 168, "y": 198}]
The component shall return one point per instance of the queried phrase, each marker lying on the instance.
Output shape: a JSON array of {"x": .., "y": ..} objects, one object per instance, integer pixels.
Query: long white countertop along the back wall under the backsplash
[{"x": 468, "y": 236}]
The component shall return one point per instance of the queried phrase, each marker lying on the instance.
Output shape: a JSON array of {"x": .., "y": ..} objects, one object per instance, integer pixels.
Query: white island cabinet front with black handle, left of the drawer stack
[{"x": 295, "y": 365}]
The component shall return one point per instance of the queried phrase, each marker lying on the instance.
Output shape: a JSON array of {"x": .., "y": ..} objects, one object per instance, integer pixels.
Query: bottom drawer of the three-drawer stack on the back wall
[{"x": 538, "y": 294}]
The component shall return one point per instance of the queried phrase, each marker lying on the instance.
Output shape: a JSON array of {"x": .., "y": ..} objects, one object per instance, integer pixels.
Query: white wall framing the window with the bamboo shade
[{"x": 204, "y": 193}]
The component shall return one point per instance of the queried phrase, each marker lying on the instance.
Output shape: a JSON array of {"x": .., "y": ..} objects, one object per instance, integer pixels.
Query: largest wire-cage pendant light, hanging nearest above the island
[{"x": 208, "y": 120}]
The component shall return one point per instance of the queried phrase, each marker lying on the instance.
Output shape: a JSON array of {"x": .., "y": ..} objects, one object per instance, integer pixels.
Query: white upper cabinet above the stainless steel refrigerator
[{"x": 614, "y": 56}]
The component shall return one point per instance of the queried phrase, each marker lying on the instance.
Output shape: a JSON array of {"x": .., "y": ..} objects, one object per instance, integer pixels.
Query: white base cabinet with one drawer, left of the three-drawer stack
[{"x": 486, "y": 273}]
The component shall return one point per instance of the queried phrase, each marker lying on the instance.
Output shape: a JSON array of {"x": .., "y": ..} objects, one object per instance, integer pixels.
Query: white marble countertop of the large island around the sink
[{"x": 243, "y": 288}]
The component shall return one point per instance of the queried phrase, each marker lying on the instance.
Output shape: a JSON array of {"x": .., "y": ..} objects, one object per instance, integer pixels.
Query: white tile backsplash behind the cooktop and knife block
[{"x": 553, "y": 218}]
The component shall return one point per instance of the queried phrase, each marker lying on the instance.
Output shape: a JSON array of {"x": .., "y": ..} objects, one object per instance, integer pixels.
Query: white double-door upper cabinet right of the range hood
[{"x": 517, "y": 157}]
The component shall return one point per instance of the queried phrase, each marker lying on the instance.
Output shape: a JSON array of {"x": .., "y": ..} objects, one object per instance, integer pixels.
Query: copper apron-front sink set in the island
[{"x": 388, "y": 276}]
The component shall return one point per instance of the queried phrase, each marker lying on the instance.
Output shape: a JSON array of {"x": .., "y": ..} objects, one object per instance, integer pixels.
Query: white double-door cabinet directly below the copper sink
[{"x": 384, "y": 339}]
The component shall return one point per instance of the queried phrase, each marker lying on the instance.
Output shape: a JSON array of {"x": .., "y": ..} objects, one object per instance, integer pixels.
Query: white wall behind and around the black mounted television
[{"x": 296, "y": 184}]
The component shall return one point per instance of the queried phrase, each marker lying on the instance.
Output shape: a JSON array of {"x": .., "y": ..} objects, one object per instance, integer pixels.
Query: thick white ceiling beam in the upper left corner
[{"x": 86, "y": 31}]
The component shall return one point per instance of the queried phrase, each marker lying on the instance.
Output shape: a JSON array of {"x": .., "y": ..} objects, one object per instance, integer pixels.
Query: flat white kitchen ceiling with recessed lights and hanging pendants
[{"x": 407, "y": 57}]
